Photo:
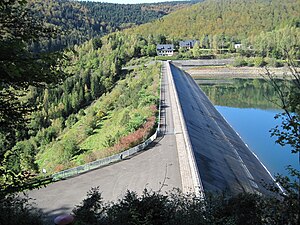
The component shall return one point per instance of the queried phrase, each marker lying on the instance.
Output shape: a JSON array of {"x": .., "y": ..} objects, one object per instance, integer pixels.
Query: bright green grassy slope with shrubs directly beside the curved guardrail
[{"x": 128, "y": 107}]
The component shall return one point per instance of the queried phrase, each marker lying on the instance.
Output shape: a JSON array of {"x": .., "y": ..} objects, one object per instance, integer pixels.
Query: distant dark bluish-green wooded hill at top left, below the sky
[{"x": 82, "y": 20}]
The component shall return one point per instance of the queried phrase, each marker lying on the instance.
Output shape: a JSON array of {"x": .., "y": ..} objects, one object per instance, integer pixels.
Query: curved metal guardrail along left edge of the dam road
[{"x": 114, "y": 158}]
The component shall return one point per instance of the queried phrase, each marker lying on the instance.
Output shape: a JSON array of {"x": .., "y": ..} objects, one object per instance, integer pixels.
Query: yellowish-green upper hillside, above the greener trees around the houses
[{"x": 238, "y": 19}]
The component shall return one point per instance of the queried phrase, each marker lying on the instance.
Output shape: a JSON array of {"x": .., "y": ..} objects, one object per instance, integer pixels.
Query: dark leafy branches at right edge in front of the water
[{"x": 287, "y": 133}]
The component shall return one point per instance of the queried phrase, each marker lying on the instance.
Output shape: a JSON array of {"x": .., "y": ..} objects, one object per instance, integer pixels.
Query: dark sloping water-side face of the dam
[{"x": 223, "y": 161}]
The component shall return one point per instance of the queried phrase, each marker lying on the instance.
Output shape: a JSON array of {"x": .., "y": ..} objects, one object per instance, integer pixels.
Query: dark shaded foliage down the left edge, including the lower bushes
[{"x": 20, "y": 68}]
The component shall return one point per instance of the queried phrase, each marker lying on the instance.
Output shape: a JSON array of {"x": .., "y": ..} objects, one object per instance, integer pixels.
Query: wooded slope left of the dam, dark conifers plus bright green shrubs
[{"x": 63, "y": 121}]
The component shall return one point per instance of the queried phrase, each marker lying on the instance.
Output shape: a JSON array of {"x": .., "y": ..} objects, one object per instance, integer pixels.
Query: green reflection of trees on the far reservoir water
[{"x": 241, "y": 93}]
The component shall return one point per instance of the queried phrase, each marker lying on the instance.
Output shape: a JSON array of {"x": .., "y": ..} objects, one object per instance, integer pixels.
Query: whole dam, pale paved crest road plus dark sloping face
[{"x": 196, "y": 151}]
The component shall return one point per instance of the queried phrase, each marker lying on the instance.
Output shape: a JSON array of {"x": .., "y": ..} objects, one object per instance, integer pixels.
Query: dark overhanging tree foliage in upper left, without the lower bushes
[{"x": 19, "y": 67}]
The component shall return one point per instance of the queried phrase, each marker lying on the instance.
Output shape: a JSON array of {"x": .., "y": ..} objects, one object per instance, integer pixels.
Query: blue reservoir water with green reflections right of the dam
[{"x": 247, "y": 105}]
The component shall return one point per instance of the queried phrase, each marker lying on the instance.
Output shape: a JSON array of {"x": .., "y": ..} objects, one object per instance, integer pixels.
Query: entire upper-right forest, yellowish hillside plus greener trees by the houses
[{"x": 265, "y": 28}]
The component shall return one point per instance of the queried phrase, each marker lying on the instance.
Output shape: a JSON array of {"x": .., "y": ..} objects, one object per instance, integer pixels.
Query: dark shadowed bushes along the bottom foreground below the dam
[{"x": 177, "y": 208}]
